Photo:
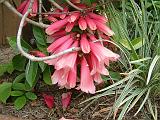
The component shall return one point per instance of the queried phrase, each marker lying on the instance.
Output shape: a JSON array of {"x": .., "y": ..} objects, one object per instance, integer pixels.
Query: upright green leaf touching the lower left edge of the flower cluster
[{"x": 47, "y": 76}]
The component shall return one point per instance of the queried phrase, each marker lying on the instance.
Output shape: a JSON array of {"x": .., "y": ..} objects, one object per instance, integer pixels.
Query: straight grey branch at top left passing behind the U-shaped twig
[{"x": 8, "y": 5}]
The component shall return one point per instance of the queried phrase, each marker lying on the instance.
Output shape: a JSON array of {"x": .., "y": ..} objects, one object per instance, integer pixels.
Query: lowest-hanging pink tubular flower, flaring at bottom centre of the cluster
[{"x": 86, "y": 81}]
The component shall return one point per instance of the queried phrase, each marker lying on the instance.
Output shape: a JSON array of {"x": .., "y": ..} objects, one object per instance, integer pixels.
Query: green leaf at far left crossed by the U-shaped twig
[{"x": 12, "y": 42}]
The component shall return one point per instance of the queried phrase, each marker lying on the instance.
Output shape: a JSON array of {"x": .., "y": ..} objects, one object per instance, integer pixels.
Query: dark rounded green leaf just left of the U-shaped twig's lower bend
[{"x": 19, "y": 62}]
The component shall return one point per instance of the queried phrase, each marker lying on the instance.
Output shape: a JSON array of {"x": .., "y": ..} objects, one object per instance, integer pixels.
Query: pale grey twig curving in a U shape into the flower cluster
[{"x": 31, "y": 57}]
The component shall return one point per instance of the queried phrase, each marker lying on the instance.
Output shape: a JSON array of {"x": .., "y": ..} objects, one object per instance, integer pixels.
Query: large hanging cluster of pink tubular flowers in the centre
[{"x": 84, "y": 68}]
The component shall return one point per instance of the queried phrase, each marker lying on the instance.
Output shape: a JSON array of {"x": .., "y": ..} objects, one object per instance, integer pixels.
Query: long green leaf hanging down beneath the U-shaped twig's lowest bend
[{"x": 31, "y": 72}]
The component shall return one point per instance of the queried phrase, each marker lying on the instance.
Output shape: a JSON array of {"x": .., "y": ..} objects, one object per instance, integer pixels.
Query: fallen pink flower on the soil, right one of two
[{"x": 66, "y": 99}]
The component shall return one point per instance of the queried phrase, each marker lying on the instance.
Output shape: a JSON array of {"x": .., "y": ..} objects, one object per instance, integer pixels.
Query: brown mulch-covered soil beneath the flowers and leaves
[{"x": 98, "y": 110}]
